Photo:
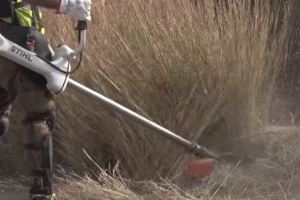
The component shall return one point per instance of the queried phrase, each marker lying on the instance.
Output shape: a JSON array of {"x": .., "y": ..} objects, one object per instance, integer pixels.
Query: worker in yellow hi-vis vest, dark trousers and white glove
[{"x": 20, "y": 22}]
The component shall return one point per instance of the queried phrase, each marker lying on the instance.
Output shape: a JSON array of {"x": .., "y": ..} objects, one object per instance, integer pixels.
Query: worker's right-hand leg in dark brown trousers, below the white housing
[{"x": 39, "y": 108}]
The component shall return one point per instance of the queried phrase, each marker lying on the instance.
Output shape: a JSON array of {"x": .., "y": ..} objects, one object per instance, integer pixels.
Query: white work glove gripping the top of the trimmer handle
[{"x": 78, "y": 9}]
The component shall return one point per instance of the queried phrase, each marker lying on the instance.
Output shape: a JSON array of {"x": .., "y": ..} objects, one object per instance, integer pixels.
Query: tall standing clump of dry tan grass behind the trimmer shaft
[{"x": 201, "y": 74}]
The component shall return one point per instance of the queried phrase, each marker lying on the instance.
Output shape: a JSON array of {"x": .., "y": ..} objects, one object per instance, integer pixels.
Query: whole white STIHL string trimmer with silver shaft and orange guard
[{"x": 57, "y": 74}]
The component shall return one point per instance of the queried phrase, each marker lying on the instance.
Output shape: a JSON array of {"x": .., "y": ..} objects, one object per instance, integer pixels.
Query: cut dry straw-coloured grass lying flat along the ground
[{"x": 275, "y": 176}]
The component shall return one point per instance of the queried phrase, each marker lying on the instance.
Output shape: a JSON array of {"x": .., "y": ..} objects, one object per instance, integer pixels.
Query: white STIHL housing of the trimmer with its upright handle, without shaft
[{"x": 56, "y": 72}]
